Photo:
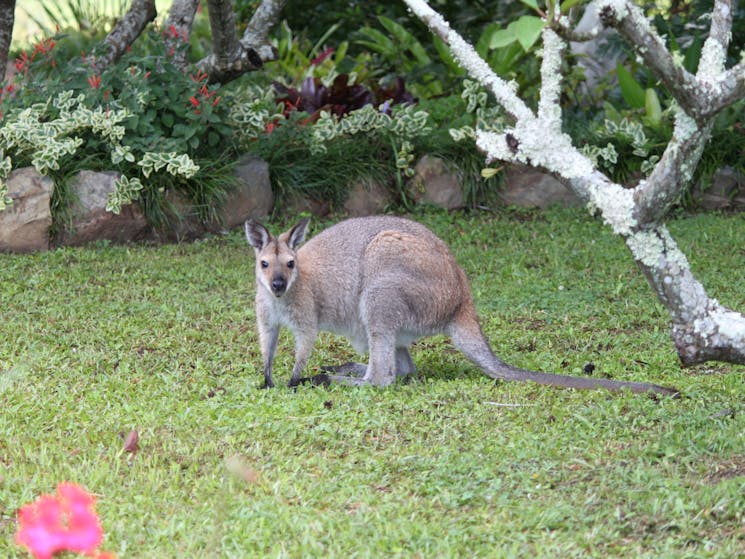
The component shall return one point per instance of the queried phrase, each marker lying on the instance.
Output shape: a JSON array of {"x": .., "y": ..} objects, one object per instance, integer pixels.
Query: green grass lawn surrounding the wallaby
[{"x": 95, "y": 342}]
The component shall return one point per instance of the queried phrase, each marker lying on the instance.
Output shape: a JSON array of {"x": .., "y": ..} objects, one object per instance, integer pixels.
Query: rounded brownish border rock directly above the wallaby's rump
[{"x": 434, "y": 183}]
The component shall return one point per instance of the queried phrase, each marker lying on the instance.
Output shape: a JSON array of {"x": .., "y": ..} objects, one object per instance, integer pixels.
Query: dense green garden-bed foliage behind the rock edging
[{"x": 337, "y": 58}]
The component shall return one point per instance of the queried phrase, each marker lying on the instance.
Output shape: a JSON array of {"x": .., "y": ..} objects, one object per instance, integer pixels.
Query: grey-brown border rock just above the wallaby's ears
[{"x": 253, "y": 197}]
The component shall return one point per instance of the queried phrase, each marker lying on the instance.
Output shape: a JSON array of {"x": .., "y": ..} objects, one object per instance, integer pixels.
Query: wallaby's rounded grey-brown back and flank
[{"x": 379, "y": 259}]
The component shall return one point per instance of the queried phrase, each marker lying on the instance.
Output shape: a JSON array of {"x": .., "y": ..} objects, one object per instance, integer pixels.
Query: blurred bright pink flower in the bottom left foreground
[{"x": 66, "y": 521}]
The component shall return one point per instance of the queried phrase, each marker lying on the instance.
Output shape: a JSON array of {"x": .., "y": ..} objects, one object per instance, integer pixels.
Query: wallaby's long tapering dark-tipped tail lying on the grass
[{"x": 467, "y": 336}]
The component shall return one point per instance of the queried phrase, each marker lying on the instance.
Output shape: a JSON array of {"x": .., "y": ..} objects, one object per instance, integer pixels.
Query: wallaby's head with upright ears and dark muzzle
[{"x": 276, "y": 258}]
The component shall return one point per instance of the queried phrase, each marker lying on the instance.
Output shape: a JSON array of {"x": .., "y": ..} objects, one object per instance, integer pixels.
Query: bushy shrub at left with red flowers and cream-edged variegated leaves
[{"x": 168, "y": 125}]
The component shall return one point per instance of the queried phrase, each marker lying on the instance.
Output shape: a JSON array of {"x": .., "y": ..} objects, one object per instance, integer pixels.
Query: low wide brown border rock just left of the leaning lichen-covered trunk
[{"x": 529, "y": 188}]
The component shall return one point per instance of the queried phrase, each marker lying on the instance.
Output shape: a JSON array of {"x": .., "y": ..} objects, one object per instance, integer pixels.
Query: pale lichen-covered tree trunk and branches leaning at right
[{"x": 702, "y": 329}]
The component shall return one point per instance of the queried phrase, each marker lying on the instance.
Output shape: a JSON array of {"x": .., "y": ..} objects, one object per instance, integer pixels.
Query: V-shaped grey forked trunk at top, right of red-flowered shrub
[{"x": 232, "y": 57}]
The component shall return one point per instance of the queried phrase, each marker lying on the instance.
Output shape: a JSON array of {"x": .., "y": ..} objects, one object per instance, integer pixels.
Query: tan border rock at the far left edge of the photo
[{"x": 24, "y": 224}]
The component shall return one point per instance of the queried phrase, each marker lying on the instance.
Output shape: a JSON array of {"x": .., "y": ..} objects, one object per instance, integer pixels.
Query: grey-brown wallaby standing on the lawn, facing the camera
[{"x": 383, "y": 282}]
